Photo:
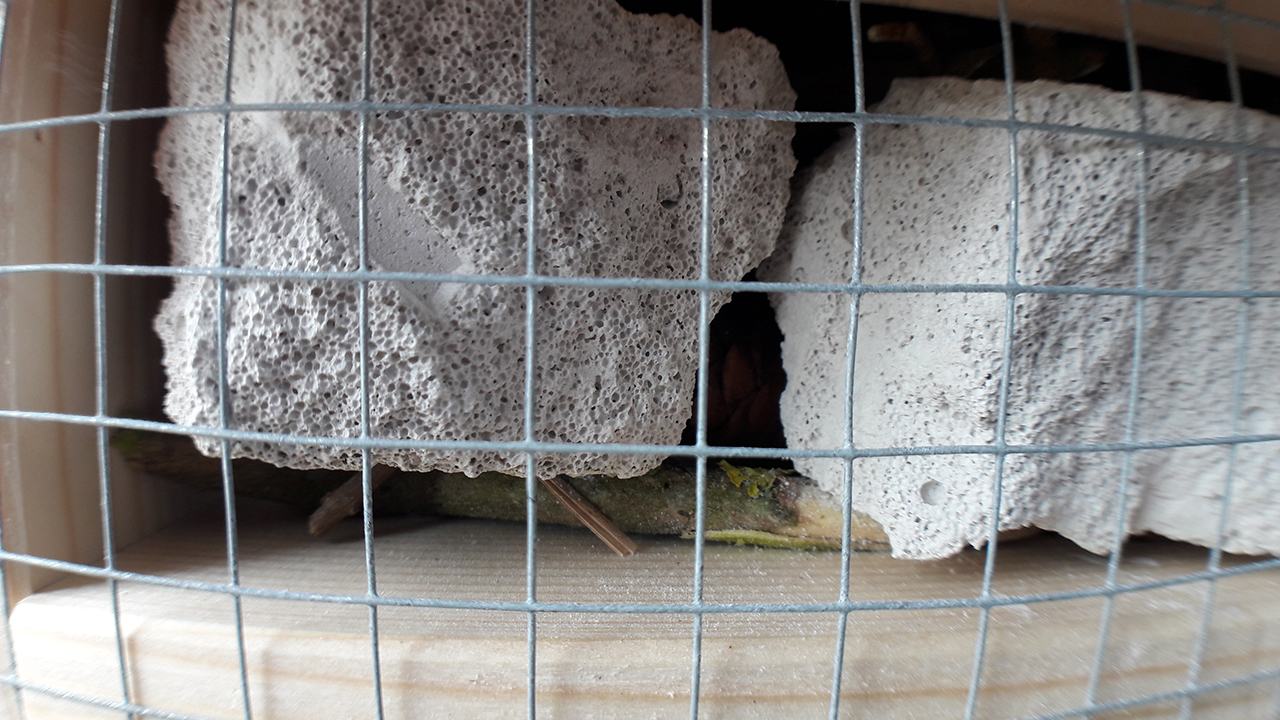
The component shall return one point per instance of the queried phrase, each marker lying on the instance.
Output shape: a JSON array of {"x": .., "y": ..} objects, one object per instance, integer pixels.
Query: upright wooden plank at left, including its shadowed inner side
[{"x": 49, "y": 477}]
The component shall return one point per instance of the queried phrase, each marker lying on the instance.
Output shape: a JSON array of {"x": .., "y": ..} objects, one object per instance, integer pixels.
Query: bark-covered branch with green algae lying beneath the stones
[{"x": 765, "y": 507}]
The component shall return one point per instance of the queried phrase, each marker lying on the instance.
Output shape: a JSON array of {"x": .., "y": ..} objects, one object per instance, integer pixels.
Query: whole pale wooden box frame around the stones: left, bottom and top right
[{"x": 313, "y": 660}]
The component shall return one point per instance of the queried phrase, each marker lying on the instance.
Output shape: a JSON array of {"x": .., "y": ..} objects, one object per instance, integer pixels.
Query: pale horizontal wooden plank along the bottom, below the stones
[{"x": 313, "y": 660}]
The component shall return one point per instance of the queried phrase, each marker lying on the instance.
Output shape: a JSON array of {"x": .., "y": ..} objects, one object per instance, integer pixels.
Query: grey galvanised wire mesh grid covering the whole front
[{"x": 844, "y": 608}]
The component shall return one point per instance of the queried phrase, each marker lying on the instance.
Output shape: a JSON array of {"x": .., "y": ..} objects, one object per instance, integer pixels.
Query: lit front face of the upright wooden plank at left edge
[{"x": 48, "y": 490}]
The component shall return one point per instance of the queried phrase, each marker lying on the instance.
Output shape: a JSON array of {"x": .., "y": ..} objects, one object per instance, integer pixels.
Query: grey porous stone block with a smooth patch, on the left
[{"x": 616, "y": 198}]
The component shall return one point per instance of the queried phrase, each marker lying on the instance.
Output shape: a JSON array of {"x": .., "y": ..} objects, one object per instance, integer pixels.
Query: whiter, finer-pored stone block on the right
[{"x": 929, "y": 366}]
